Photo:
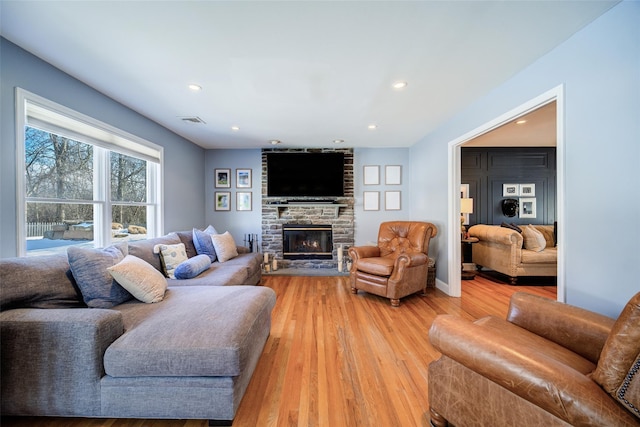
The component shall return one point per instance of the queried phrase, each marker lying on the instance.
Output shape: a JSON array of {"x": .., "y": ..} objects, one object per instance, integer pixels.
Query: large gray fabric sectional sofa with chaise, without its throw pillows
[{"x": 189, "y": 356}]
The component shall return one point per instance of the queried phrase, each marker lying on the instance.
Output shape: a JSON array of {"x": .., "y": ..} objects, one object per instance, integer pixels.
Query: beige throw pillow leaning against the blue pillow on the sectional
[{"x": 140, "y": 278}]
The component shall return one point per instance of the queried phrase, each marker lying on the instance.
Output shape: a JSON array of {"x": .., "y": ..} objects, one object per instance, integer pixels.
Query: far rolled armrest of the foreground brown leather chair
[{"x": 581, "y": 331}]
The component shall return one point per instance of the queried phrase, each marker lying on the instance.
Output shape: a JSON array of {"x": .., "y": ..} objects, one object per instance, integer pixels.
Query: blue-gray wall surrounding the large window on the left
[{"x": 184, "y": 161}]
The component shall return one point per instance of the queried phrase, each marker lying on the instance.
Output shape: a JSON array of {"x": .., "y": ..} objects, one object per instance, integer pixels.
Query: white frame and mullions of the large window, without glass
[{"x": 36, "y": 111}]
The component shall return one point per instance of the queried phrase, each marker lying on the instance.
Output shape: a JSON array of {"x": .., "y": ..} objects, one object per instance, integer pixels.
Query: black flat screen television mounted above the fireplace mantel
[{"x": 305, "y": 174}]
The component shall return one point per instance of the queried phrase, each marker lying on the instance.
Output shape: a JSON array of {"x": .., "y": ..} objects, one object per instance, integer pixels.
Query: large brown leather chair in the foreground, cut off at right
[{"x": 547, "y": 364}]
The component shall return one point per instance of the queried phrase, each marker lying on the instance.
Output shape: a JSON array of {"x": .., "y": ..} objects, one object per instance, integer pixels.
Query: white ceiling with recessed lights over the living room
[{"x": 303, "y": 72}]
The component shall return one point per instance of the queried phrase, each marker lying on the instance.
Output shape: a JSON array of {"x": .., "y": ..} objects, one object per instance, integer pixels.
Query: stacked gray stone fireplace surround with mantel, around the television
[{"x": 316, "y": 228}]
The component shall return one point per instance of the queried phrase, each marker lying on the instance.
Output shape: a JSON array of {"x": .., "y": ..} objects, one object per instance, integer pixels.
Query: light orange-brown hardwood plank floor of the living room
[{"x": 338, "y": 359}]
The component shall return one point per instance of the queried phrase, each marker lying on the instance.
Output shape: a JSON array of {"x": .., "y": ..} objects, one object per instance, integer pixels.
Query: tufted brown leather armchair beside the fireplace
[{"x": 398, "y": 265}]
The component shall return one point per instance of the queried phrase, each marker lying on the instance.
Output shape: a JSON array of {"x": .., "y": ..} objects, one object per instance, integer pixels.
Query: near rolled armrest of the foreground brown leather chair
[{"x": 545, "y": 382}]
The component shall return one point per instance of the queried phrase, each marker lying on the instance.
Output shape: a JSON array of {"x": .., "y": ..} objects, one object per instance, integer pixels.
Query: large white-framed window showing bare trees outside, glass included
[{"x": 82, "y": 182}]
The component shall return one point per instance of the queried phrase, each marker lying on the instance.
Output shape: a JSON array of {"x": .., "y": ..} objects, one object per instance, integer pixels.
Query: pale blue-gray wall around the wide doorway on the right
[{"x": 600, "y": 70}]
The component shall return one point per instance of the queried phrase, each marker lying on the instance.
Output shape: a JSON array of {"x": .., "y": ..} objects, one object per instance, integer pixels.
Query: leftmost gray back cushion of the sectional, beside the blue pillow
[{"x": 47, "y": 283}]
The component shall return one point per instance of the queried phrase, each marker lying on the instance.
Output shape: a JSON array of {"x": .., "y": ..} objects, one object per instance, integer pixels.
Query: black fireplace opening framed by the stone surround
[{"x": 302, "y": 241}]
